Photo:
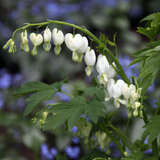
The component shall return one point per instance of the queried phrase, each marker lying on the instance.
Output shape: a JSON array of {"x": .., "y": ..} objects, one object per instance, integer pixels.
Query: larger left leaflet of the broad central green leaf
[{"x": 68, "y": 111}]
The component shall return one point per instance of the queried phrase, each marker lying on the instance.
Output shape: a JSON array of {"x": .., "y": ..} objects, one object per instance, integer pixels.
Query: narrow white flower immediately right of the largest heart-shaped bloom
[{"x": 90, "y": 60}]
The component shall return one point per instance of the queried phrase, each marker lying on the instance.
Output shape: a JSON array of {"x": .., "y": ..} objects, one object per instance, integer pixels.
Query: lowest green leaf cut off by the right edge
[{"x": 152, "y": 128}]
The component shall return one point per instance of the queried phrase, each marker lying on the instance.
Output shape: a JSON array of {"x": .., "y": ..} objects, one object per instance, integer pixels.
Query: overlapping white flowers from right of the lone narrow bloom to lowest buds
[{"x": 119, "y": 91}]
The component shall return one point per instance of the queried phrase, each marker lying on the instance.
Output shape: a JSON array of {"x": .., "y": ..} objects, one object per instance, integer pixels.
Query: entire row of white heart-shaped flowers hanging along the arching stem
[{"x": 121, "y": 92}]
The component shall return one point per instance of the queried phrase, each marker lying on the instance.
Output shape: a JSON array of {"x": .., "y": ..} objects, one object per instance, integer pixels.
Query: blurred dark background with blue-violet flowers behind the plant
[{"x": 19, "y": 138}]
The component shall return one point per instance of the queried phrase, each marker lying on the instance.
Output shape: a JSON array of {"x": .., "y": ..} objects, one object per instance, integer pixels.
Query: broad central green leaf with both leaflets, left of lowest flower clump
[{"x": 70, "y": 112}]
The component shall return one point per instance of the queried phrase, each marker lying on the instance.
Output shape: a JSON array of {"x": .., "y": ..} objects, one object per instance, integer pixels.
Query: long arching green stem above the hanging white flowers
[{"x": 119, "y": 71}]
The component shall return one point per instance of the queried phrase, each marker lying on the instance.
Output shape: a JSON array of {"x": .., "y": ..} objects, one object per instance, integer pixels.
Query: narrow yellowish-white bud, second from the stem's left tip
[{"x": 24, "y": 41}]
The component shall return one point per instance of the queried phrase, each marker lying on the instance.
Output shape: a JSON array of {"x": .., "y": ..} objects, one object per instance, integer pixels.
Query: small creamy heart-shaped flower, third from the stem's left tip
[{"x": 36, "y": 40}]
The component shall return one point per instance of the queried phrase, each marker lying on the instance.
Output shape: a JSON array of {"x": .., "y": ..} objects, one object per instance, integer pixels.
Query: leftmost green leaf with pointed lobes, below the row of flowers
[{"x": 38, "y": 92}]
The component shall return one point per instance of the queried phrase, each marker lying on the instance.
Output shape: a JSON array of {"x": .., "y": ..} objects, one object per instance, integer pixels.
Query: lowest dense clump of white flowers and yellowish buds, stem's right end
[{"x": 125, "y": 94}]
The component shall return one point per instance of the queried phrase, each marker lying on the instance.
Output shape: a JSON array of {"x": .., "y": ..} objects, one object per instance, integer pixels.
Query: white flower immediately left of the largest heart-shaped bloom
[{"x": 58, "y": 39}]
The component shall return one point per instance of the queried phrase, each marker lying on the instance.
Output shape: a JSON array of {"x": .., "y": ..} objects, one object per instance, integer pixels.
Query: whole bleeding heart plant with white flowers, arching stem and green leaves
[{"x": 99, "y": 130}]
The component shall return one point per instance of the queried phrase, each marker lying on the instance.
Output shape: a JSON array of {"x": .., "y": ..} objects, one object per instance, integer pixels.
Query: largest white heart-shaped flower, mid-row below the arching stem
[{"x": 77, "y": 44}]
